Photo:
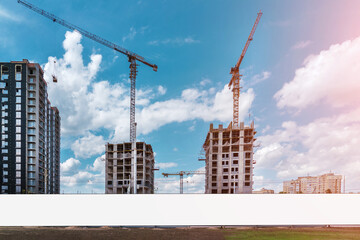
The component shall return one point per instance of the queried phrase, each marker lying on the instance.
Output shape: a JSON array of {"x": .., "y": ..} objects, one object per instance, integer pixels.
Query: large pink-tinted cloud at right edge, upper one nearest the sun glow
[{"x": 330, "y": 77}]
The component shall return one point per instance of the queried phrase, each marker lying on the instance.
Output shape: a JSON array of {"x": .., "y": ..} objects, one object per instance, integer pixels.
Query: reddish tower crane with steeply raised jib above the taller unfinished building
[{"x": 235, "y": 80}]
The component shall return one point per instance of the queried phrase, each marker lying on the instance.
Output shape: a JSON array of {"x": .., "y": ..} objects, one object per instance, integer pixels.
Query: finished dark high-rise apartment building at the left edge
[{"x": 30, "y": 131}]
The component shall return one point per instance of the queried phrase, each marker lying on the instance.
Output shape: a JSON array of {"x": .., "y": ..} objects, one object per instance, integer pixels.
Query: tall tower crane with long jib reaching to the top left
[{"x": 133, "y": 58}]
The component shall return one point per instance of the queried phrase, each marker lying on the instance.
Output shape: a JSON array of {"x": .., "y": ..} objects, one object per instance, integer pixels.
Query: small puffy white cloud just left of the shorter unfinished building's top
[{"x": 88, "y": 146}]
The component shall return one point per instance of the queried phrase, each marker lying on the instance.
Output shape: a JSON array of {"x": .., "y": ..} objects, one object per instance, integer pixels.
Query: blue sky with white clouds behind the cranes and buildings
[{"x": 194, "y": 44}]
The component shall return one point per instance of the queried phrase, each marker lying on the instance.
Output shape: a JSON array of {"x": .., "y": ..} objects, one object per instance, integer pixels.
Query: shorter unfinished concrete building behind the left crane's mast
[{"x": 118, "y": 179}]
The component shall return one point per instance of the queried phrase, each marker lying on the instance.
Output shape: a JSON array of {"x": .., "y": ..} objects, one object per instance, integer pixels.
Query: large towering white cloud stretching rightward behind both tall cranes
[{"x": 87, "y": 105}]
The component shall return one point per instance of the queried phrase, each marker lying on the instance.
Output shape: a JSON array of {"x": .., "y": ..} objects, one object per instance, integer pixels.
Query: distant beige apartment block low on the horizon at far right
[{"x": 326, "y": 183}]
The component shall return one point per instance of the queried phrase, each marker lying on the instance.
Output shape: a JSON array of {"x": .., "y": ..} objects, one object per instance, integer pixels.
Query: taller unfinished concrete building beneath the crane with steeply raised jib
[{"x": 229, "y": 159}]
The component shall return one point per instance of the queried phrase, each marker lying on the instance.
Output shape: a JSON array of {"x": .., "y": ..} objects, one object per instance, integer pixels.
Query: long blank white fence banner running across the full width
[{"x": 177, "y": 210}]
